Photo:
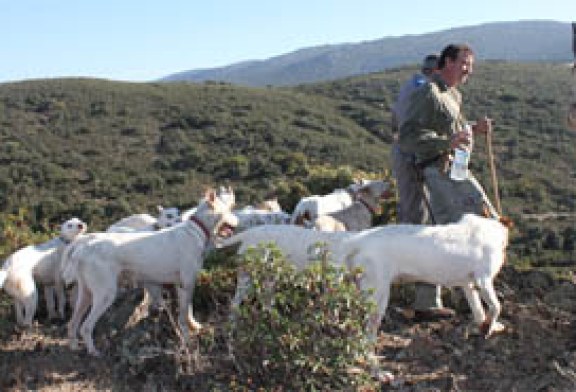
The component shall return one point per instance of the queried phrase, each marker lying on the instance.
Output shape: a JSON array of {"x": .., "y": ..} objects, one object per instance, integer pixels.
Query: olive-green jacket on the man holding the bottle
[{"x": 433, "y": 115}]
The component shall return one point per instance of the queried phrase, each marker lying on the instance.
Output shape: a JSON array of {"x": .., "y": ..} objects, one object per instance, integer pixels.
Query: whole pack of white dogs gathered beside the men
[{"x": 170, "y": 249}]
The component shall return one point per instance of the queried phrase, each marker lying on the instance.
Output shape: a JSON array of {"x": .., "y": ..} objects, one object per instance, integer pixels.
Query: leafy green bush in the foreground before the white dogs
[{"x": 302, "y": 329}]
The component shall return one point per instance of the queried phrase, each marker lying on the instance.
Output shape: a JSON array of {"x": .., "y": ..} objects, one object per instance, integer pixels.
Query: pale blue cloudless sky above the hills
[{"x": 144, "y": 40}]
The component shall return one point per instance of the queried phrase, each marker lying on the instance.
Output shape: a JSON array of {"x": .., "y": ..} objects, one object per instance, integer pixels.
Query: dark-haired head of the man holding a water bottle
[{"x": 456, "y": 63}]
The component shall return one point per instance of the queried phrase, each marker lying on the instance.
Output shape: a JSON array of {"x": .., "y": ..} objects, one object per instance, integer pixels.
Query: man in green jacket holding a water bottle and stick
[{"x": 433, "y": 128}]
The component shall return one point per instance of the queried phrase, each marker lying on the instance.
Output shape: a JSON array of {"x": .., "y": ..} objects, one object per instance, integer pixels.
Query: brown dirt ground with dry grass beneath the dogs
[{"x": 537, "y": 352}]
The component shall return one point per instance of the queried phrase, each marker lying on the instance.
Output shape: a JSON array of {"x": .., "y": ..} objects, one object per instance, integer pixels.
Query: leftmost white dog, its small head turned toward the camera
[{"x": 39, "y": 264}]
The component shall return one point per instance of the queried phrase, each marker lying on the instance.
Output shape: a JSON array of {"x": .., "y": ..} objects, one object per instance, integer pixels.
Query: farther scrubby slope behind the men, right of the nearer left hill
[{"x": 535, "y": 151}]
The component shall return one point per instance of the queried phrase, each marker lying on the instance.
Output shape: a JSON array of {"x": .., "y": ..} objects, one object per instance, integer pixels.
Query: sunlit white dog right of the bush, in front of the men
[{"x": 467, "y": 254}]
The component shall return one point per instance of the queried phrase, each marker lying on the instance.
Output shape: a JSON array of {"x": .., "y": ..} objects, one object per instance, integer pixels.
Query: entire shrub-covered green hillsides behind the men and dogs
[{"x": 101, "y": 150}]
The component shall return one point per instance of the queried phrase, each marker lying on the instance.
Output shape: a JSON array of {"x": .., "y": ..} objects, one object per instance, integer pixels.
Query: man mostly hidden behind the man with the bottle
[{"x": 411, "y": 203}]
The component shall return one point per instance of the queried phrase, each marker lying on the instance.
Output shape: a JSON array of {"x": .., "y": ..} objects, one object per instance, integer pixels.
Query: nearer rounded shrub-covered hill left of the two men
[{"x": 96, "y": 148}]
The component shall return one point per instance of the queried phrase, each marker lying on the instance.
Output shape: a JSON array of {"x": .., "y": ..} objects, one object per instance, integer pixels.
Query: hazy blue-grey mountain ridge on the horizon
[{"x": 524, "y": 41}]
